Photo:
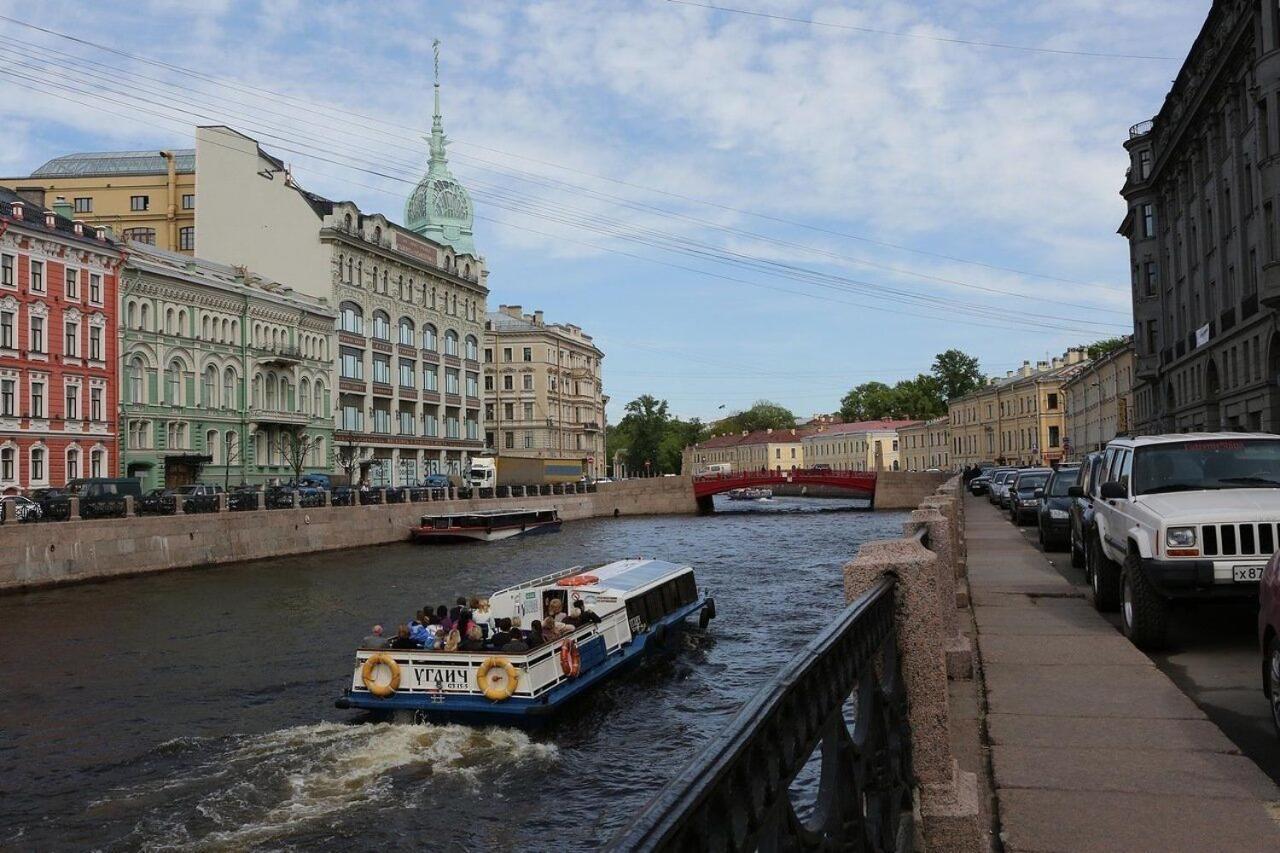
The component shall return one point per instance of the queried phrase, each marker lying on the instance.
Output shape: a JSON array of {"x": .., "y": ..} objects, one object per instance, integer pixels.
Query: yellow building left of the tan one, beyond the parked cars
[{"x": 1017, "y": 419}]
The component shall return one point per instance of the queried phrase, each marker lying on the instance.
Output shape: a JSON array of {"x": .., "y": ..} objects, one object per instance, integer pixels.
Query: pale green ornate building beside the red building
[{"x": 227, "y": 378}]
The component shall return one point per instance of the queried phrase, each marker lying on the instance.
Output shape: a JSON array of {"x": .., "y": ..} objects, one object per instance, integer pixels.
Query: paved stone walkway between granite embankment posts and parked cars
[{"x": 1092, "y": 747}]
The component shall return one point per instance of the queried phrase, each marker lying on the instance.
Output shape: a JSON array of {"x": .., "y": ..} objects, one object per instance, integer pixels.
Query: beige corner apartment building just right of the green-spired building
[{"x": 543, "y": 390}]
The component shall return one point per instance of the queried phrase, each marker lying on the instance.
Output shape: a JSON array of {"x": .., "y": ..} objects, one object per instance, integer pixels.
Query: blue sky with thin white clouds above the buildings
[{"x": 735, "y": 207}]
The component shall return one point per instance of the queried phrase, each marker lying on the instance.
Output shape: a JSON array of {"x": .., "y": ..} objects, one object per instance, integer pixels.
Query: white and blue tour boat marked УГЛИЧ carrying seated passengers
[{"x": 642, "y": 606}]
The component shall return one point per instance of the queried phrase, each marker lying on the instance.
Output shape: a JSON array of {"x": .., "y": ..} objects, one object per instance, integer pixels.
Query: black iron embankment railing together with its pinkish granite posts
[{"x": 867, "y": 700}]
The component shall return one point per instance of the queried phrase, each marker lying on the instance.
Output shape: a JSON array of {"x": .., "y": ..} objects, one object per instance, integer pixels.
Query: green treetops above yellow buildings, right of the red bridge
[{"x": 954, "y": 375}]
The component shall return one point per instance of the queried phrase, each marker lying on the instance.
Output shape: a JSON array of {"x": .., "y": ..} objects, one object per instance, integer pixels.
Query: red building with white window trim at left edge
[{"x": 58, "y": 340}]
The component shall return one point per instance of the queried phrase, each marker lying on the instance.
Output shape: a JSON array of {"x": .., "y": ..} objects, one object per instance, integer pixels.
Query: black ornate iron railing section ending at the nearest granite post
[{"x": 842, "y": 696}]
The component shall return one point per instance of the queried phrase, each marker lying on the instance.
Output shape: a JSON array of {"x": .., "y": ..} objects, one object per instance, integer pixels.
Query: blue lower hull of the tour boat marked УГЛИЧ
[{"x": 537, "y": 711}]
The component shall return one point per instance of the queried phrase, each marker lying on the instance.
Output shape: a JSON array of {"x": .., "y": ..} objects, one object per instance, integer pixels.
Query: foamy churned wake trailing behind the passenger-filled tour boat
[{"x": 253, "y": 790}]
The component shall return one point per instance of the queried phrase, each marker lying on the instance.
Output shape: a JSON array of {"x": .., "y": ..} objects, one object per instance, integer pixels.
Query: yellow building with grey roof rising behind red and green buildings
[{"x": 148, "y": 197}]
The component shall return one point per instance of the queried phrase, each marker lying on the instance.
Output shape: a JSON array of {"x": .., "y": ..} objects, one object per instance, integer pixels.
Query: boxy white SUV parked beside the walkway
[{"x": 1190, "y": 517}]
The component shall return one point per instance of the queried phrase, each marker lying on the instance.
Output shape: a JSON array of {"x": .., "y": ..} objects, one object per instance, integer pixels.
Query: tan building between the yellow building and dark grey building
[{"x": 1100, "y": 403}]
